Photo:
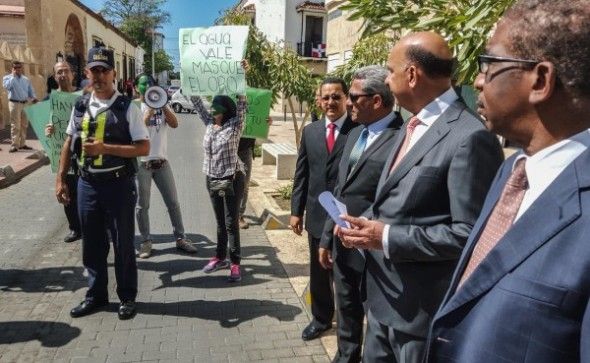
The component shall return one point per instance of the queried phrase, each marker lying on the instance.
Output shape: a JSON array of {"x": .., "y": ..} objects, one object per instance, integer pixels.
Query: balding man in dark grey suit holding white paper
[{"x": 428, "y": 198}]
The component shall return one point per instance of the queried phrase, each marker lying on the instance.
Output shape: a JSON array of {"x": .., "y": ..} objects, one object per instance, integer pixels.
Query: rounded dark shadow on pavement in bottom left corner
[{"x": 50, "y": 334}]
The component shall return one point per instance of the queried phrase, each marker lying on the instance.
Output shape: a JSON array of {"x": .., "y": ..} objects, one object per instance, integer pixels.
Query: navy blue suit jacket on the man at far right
[{"x": 528, "y": 300}]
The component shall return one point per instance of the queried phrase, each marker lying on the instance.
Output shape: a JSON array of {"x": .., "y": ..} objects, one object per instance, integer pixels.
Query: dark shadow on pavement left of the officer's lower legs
[{"x": 50, "y": 279}]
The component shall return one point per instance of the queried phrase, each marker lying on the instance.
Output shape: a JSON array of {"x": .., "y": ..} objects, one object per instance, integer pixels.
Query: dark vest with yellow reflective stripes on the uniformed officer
[{"x": 110, "y": 126}]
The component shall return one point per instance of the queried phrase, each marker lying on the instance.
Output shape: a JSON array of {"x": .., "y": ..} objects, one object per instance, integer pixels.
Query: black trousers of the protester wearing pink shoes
[{"x": 227, "y": 216}]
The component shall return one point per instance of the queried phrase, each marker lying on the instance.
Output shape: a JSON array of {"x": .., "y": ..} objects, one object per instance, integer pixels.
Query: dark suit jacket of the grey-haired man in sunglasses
[{"x": 356, "y": 188}]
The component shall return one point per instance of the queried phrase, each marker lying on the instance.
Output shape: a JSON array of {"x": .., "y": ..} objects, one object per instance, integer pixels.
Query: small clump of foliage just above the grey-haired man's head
[{"x": 372, "y": 49}]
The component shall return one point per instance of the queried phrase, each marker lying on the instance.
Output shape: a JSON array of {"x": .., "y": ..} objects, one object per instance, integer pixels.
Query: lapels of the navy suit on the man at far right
[{"x": 556, "y": 208}]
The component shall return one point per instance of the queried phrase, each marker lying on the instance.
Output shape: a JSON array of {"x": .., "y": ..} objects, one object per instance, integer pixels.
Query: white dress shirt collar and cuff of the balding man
[{"x": 427, "y": 116}]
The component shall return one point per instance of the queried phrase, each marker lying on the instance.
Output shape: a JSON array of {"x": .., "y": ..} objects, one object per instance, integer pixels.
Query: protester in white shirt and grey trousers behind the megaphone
[{"x": 156, "y": 167}]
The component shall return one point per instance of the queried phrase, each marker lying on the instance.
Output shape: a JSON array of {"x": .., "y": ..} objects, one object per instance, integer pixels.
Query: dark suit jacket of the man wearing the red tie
[{"x": 316, "y": 171}]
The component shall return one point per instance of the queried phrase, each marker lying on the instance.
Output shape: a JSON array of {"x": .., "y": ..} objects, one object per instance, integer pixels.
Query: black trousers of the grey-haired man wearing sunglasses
[{"x": 348, "y": 272}]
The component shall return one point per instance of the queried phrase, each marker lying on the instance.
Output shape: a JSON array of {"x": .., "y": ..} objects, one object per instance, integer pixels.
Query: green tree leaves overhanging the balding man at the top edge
[{"x": 466, "y": 23}]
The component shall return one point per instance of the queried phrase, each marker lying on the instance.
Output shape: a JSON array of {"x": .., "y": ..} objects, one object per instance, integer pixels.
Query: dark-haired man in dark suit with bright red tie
[{"x": 316, "y": 171}]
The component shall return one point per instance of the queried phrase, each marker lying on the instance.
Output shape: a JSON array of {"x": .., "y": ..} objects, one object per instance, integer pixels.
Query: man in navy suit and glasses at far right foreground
[{"x": 521, "y": 290}]
